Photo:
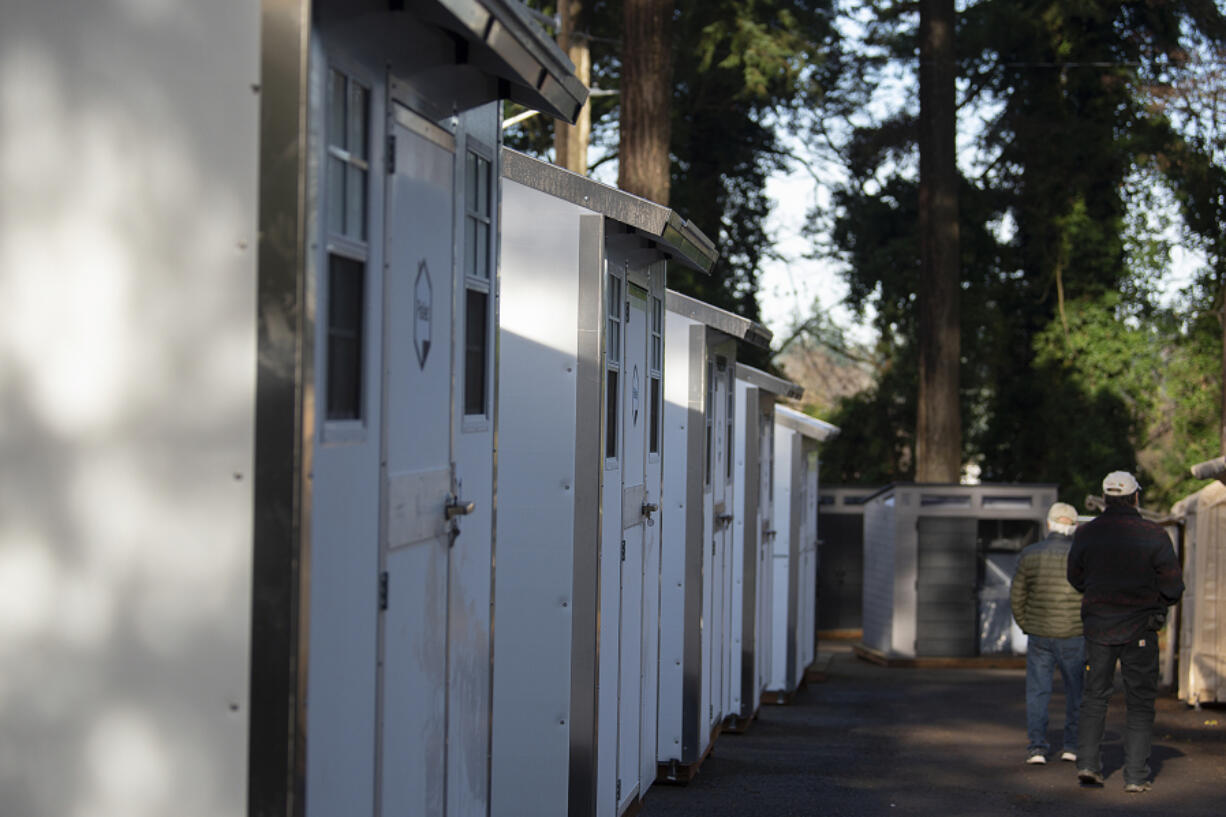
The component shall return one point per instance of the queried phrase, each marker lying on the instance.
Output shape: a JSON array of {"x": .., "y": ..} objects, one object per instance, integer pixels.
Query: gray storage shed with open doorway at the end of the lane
[{"x": 936, "y": 560}]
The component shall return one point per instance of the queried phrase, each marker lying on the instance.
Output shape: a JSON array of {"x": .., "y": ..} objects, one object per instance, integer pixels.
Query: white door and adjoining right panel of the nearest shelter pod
[{"x": 435, "y": 587}]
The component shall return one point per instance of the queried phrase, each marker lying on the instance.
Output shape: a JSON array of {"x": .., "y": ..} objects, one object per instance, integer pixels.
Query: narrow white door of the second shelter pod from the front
[{"x": 634, "y": 426}]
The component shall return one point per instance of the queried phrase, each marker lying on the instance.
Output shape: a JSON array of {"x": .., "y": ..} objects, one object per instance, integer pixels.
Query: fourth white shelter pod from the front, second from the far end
[{"x": 752, "y": 539}]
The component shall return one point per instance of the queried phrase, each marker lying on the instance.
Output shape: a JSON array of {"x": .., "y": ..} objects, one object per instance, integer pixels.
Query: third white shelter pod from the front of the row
[{"x": 696, "y": 688}]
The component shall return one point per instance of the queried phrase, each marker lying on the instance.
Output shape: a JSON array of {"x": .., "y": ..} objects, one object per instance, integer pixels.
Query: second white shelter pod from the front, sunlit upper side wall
[{"x": 581, "y": 466}]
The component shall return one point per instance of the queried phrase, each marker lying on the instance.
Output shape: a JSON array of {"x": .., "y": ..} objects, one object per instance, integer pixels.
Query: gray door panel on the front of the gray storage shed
[{"x": 947, "y": 604}]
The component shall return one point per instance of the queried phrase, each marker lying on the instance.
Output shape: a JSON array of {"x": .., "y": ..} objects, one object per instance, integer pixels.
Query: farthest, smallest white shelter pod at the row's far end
[{"x": 795, "y": 550}]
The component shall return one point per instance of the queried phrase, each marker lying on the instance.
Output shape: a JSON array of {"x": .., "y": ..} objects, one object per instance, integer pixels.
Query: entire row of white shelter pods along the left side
[{"x": 345, "y": 483}]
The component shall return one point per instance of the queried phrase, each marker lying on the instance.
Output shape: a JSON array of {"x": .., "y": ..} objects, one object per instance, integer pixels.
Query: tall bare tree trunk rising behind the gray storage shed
[{"x": 939, "y": 425}]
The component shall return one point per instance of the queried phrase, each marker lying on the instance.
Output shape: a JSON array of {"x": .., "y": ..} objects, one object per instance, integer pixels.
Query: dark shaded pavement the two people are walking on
[{"x": 876, "y": 742}]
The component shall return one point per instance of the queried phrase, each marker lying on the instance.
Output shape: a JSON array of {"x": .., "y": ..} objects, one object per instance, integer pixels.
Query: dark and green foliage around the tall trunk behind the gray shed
[{"x": 1071, "y": 367}]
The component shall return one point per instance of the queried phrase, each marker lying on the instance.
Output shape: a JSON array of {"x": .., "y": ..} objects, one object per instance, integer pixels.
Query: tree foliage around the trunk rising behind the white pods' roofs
[{"x": 742, "y": 69}]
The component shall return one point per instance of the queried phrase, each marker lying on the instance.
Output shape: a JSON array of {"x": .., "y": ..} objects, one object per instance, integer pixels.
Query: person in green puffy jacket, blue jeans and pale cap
[{"x": 1049, "y": 610}]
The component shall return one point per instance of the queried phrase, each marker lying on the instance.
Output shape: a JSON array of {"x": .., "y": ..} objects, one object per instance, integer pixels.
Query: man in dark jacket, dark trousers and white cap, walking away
[{"x": 1130, "y": 575}]
